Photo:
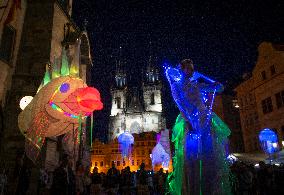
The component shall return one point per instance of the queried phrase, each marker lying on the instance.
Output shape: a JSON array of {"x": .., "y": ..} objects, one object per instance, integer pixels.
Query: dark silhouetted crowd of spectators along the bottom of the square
[{"x": 246, "y": 179}]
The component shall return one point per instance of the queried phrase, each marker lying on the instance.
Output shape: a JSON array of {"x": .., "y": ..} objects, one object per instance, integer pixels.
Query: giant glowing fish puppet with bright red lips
[{"x": 56, "y": 109}]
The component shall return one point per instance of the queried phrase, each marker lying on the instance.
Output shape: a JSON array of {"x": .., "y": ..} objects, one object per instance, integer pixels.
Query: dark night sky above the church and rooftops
[{"x": 221, "y": 38}]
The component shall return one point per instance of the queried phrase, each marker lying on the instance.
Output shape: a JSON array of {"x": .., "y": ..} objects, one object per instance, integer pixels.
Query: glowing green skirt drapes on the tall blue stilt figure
[{"x": 220, "y": 133}]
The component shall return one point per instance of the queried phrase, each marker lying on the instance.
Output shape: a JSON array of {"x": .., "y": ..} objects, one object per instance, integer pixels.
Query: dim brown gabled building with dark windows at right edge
[{"x": 261, "y": 96}]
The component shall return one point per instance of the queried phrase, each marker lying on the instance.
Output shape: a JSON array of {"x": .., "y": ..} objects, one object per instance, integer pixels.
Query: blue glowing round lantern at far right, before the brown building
[{"x": 269, "y": 141}]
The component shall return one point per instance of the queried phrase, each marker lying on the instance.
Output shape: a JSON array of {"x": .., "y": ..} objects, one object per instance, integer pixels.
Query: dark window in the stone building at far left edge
[{"x": 7, "y": 43}]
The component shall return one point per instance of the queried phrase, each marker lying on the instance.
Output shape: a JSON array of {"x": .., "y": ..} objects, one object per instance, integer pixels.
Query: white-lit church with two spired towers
[{"x": 132, "y": 111}]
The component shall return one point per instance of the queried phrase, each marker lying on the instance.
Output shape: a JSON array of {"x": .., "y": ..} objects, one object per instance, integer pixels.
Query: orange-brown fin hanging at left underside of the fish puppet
[{"x": 35, "y": 136}]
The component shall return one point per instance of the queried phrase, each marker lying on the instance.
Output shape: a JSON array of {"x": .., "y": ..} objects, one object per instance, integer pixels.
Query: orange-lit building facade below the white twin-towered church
[{"x": 103, "y": 155}]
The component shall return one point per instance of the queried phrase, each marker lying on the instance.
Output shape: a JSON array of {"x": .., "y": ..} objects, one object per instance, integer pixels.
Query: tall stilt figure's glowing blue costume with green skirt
[{"x": 199, "y": 137}]
